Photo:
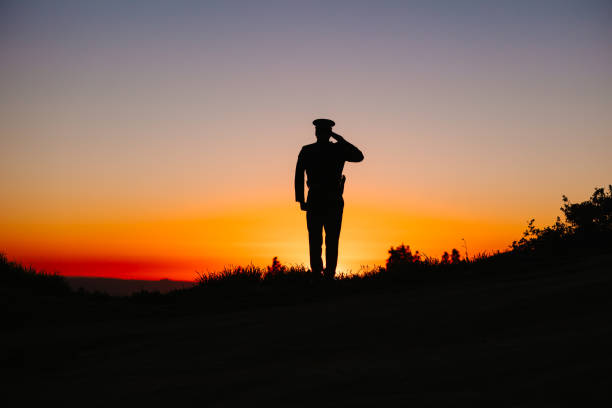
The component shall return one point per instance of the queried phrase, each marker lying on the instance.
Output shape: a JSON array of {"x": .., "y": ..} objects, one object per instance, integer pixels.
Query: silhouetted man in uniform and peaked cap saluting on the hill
[{"x": 323, "y": 162}]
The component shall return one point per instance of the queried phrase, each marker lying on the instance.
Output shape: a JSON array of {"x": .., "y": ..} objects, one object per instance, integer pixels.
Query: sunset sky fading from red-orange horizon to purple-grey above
[{"x": 150, "y": 139}]
